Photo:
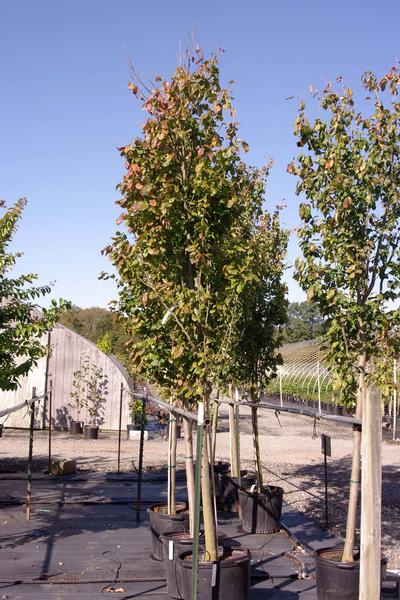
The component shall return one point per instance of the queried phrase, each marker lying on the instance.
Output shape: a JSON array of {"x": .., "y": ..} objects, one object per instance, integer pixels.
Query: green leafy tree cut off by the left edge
[{"x": 22, "y": 323}]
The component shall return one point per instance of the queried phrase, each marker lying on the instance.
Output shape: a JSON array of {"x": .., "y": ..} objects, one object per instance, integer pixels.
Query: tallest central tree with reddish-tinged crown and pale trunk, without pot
[{"x": 186, "y": 196}]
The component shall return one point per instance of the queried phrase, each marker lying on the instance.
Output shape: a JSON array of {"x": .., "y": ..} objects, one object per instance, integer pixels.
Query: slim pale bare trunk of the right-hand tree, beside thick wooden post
[{"x": 348, "y": 552}]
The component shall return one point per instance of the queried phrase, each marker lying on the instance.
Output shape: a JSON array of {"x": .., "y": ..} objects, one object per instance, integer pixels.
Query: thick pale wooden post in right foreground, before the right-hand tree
[{"x": 371, "y": 497}]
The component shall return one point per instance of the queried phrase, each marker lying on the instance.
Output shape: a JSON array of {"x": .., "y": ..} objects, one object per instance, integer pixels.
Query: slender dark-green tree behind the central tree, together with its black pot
[{"x": 262, "y": 312}]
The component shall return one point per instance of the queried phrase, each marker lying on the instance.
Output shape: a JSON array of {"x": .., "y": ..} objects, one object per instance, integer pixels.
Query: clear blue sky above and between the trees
[{"x": 65, "y": 106}]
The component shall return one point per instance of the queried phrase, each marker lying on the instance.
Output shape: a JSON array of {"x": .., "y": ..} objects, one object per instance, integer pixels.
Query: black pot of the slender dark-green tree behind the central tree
[{"x": 261, "y": 513}]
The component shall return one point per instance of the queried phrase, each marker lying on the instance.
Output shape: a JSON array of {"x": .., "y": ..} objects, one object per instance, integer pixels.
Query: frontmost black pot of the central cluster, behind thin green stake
[{"x": 230, "y": 574}]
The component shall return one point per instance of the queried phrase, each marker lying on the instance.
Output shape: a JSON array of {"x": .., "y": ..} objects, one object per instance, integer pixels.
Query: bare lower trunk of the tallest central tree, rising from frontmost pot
[{"x": 208, "y": 511}]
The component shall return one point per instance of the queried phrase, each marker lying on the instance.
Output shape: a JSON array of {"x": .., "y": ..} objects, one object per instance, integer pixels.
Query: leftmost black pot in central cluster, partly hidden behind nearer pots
[{"x": 161, "y": 522}]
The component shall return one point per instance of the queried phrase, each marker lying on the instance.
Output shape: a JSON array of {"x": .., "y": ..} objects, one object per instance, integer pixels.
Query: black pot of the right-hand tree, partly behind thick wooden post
[{"x": 336, "y": 579}]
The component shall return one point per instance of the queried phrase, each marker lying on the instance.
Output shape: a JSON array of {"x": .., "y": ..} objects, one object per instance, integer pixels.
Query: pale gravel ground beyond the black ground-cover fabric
[{"x": 291, "y": 452}]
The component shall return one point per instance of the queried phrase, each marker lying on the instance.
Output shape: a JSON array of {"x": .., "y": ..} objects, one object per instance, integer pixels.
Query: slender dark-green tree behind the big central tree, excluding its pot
[{"x": 262, "y": 311}]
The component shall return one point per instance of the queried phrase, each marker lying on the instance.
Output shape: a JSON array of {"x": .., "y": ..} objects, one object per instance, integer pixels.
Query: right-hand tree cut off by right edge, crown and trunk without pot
[{"x": 350, "y": 236}]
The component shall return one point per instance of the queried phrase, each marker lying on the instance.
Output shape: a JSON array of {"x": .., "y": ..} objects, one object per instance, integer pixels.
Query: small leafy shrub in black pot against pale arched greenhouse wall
[{"x": 96, "y": 395}]
